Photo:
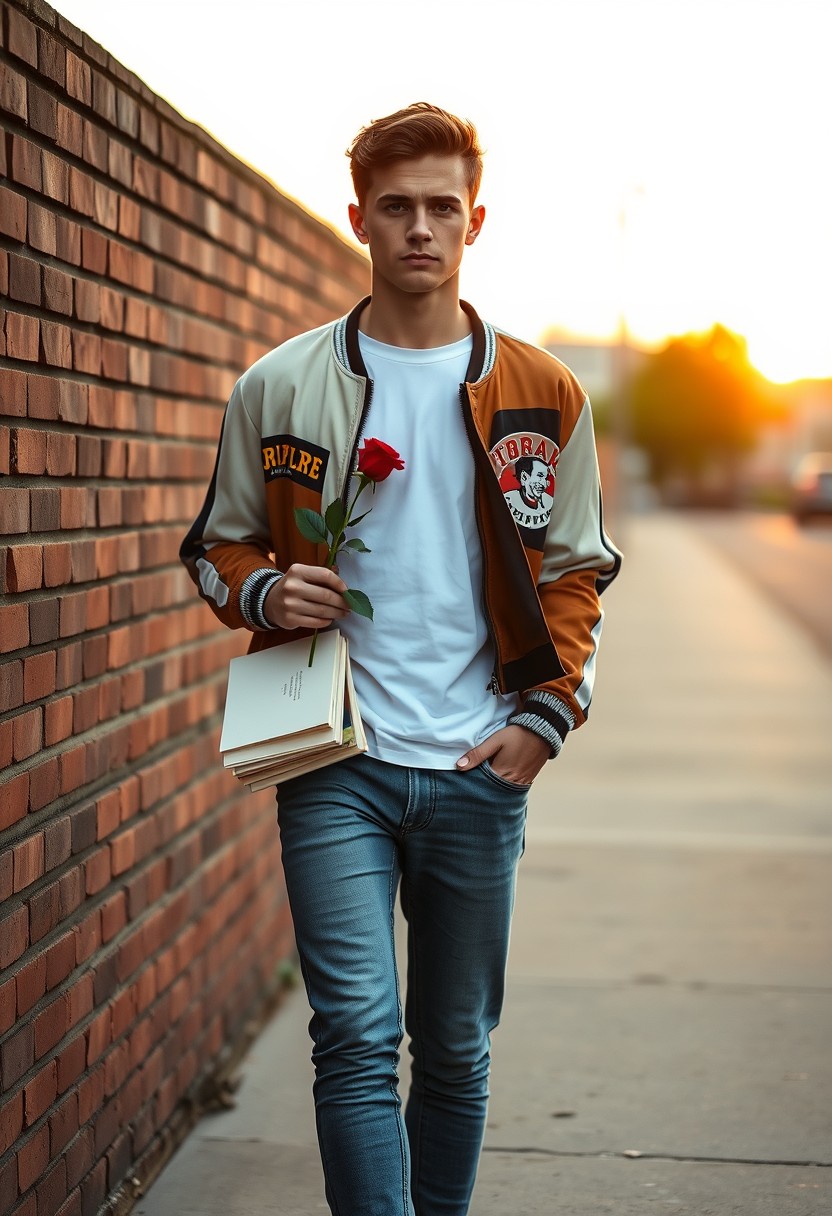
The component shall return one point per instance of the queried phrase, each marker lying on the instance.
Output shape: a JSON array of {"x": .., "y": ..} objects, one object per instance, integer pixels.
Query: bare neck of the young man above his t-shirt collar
[{"x": 417, "y": 322}]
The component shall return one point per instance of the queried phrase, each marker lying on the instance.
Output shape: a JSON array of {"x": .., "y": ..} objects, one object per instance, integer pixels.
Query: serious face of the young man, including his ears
[{"x": 418, "y": 219}]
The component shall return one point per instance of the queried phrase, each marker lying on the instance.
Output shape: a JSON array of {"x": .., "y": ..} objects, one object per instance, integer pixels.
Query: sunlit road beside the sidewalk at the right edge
[{"x": 792, "y": 565}]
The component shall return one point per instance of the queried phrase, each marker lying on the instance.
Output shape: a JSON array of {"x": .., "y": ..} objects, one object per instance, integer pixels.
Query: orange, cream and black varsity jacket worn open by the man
[{"x": 290, "y": 438}]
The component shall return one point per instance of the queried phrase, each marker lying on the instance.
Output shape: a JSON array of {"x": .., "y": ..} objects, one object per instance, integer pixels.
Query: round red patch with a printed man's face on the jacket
[{"x": 526, "y": 464}]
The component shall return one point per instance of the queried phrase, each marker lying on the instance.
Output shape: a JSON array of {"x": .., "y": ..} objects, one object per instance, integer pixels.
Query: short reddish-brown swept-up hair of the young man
[{"x": 418, "y": 131}]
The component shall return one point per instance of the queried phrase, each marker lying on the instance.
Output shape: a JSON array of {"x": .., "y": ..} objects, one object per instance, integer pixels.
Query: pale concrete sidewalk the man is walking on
[{"x": 666, "y": 1042}]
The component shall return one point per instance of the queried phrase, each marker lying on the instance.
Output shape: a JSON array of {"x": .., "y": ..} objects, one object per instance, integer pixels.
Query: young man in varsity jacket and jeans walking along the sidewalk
[{"x": 479, "y": 663}]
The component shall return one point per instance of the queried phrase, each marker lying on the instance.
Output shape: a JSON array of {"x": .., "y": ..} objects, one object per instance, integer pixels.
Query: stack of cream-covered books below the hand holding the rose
[{"x": 284, "y": 718}]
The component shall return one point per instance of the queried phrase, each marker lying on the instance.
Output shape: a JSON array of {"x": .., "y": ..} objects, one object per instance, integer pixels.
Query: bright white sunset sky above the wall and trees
[{"x": 665, "y": 159}]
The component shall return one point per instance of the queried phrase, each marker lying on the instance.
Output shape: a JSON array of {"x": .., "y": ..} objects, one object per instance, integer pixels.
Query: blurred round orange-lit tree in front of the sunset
[{"x": 696, "y": 407}]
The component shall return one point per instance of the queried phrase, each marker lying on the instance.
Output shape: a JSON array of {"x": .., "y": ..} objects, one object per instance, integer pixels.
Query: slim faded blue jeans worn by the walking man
[{"x": 351, "y": 834}]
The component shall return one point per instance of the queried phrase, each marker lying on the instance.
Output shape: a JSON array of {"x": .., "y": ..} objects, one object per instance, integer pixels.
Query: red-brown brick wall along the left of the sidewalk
[{"x": 143, "y": 920}]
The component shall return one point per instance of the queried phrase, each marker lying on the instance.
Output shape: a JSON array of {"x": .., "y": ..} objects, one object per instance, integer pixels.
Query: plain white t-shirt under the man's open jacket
[{"x": 424, "y": 665}]
